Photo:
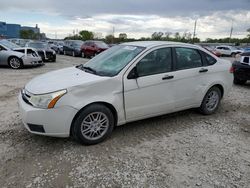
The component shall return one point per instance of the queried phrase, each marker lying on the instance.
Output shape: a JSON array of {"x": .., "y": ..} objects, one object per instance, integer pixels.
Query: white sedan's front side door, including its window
[{"x": 151, "y": 93}]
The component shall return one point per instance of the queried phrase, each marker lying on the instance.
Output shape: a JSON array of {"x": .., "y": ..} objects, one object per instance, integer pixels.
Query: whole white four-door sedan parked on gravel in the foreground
[{"x": 128, "y": 82}]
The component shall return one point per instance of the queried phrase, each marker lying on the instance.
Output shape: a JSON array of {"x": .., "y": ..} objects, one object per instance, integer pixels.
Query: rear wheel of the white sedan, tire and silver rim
[{"x": 211, "y": 101}]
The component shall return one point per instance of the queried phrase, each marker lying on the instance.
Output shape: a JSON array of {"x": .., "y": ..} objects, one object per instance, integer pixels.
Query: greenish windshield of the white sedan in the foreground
[{"x": 113, "y": 60}]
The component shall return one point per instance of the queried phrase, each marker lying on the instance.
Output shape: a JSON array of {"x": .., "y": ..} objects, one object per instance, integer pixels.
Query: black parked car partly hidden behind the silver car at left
[{"x": 45, "y": 52}]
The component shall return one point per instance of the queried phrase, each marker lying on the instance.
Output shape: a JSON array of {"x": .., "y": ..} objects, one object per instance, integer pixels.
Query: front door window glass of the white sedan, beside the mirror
[{"x": 157, "y": 61}]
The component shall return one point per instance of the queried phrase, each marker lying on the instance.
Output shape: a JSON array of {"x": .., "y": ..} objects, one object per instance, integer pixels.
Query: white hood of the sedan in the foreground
[{"x": 61, "y": 79}]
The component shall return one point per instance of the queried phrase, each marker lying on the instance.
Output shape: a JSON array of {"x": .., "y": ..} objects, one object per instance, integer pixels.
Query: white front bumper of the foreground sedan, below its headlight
[{"x": 55, "y": 122}]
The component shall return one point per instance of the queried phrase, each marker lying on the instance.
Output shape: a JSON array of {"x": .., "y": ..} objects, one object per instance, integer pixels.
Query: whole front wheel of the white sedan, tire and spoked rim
[{"x": 93, "y": 125}]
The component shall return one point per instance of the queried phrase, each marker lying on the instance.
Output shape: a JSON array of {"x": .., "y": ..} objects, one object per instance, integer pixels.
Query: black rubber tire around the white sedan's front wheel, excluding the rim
[{"x": 90, "y": 109}]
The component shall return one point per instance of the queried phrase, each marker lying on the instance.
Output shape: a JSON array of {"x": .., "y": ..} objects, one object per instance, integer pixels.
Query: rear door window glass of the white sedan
[{"x": 187, "y": 58}]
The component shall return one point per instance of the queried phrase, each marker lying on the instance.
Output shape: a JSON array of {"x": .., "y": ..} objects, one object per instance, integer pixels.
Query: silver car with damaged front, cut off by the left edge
[{"x": 16, "y": 57}]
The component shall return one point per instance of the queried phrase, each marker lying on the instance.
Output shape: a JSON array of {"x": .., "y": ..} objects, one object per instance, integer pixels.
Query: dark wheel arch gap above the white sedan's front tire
[{"x": 108, "y": 105}]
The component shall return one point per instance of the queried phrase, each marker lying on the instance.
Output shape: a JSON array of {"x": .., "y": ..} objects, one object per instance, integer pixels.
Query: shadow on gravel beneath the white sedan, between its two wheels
[{"x": 155, "y": 128}]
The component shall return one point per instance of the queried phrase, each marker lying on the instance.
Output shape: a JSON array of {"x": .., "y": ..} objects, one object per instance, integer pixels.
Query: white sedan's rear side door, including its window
[{"x": 189, "y": 74}]
